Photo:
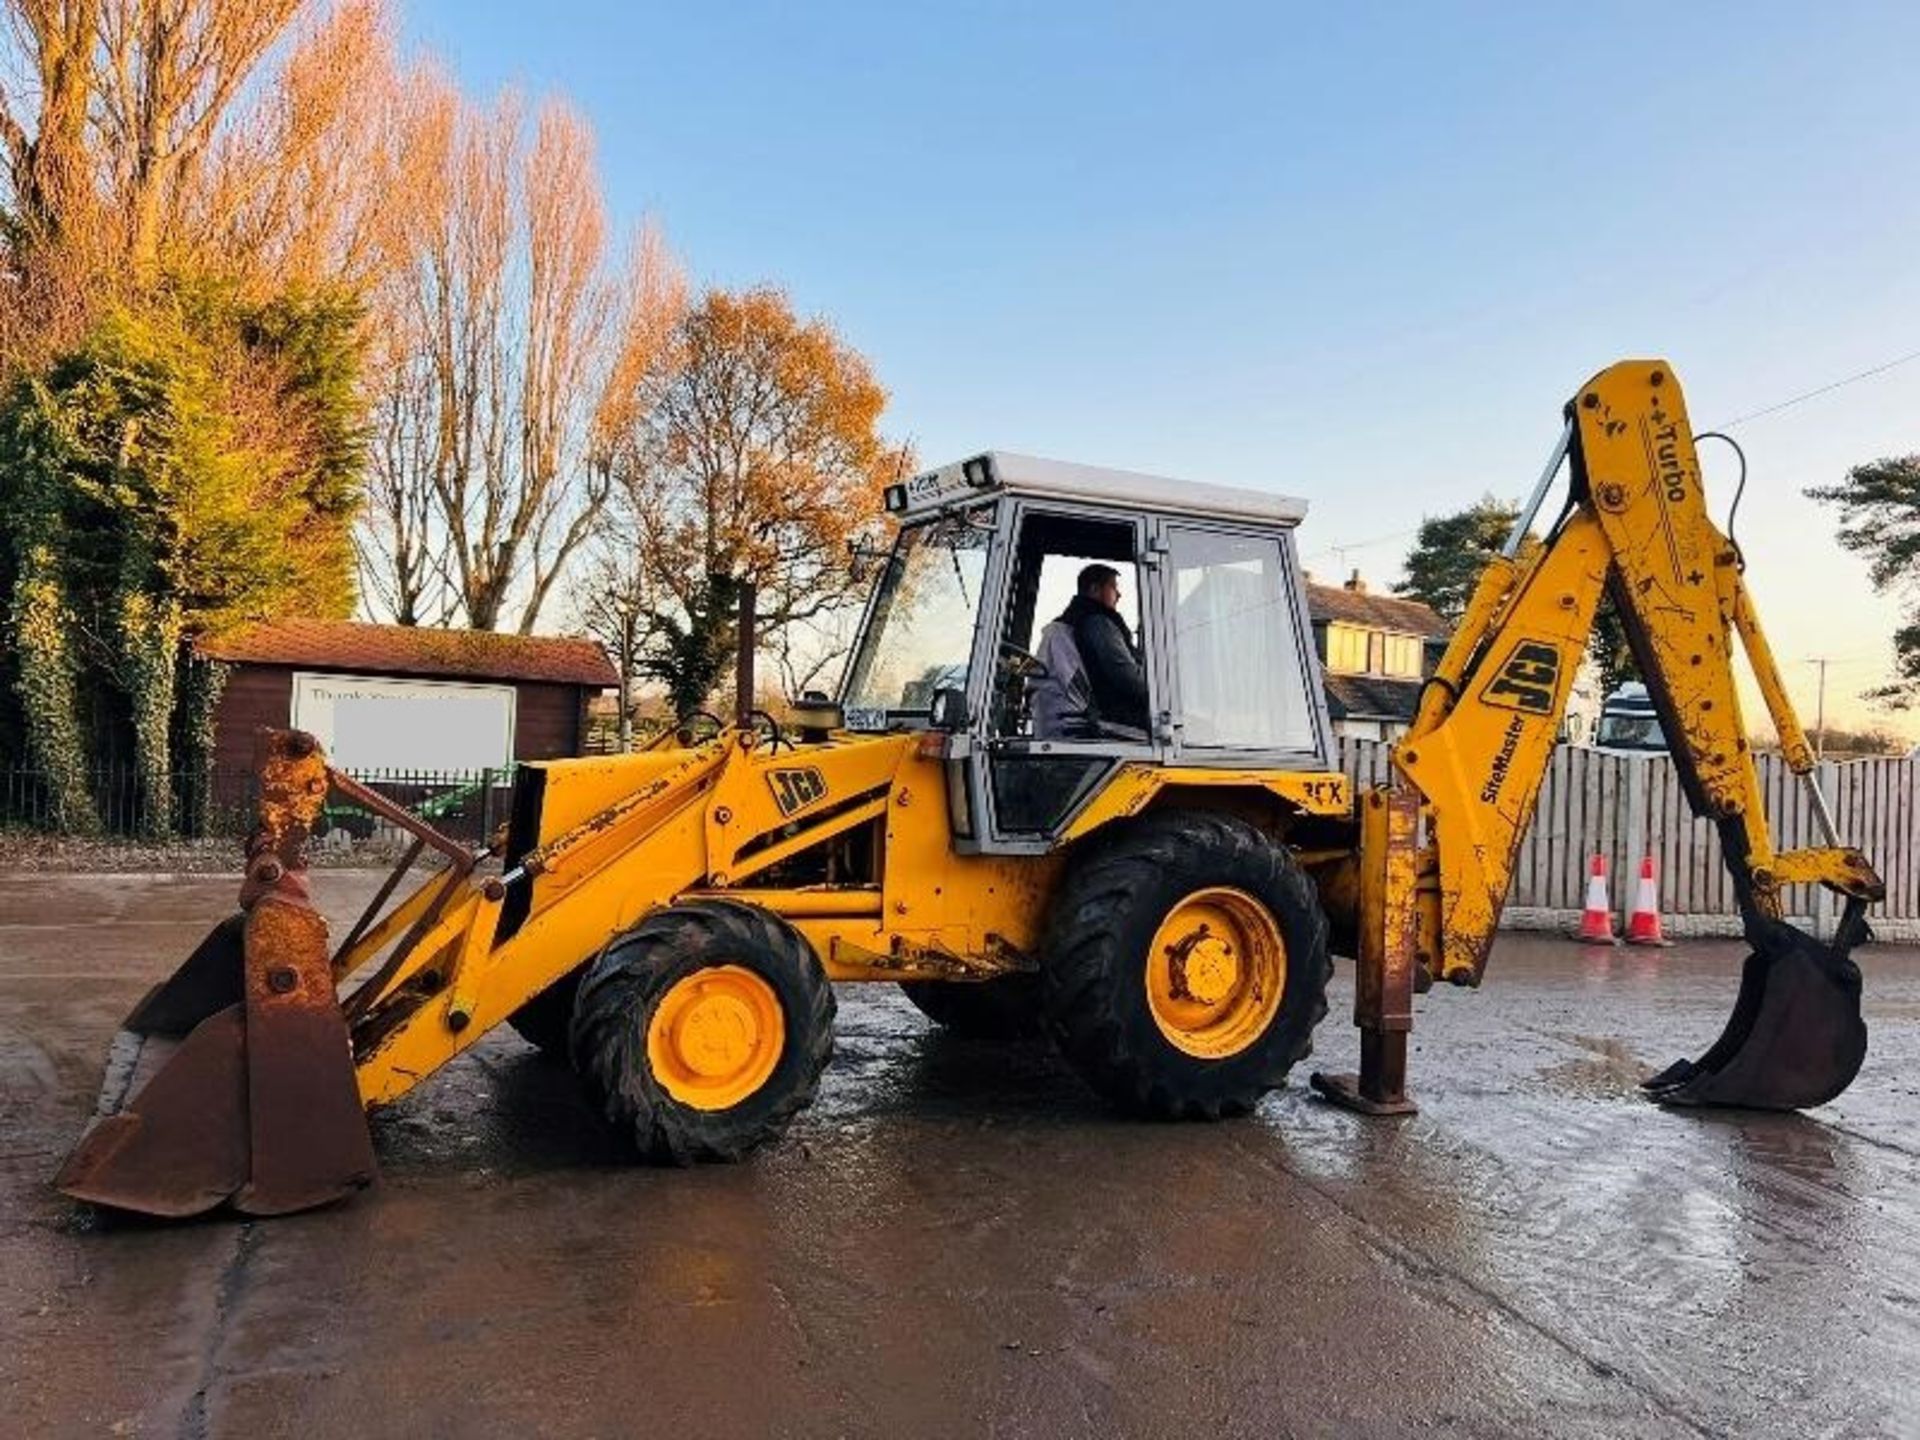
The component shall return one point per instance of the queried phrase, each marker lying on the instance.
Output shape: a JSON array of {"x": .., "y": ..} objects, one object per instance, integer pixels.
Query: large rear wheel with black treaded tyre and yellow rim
[{"x": 1186, "y": 967}]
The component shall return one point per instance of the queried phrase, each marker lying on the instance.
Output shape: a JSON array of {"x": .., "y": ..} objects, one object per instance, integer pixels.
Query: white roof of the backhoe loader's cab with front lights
[{"x": 999, "y": 471}]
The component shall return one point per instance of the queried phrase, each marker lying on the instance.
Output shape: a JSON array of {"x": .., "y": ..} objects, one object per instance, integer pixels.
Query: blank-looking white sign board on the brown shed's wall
[{"x": 372, "y": 723}]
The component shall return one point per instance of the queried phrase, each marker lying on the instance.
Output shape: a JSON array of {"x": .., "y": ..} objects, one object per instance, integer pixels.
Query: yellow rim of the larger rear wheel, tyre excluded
[{"x": 1216, "y": 972}]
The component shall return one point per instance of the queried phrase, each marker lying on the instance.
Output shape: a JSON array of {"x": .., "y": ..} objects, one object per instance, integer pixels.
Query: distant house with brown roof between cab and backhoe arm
[{"x": 1376, "y": 652}]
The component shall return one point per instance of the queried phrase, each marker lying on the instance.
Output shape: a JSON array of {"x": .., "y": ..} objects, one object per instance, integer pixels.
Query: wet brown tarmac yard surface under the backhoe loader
[{"x": 959, "y": 1241}]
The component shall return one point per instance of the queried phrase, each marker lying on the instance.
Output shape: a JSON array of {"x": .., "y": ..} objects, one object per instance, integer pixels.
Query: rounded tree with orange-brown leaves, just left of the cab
[{"x": 757, "y": 458}]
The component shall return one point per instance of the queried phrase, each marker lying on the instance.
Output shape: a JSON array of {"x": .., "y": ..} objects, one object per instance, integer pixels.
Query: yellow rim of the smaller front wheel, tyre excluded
[{"x": 715, "y": 1038}]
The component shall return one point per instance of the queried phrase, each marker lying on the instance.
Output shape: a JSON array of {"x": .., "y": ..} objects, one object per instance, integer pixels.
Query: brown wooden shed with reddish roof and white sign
[{"x": 404, "y": 698}]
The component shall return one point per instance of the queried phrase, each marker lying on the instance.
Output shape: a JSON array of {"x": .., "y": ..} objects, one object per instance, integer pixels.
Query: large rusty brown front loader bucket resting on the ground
[{"x": 233, "y": 1082}]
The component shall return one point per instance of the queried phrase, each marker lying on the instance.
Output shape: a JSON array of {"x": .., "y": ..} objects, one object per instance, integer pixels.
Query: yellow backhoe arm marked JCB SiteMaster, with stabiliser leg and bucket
[{"x": 1637, "y": 527}]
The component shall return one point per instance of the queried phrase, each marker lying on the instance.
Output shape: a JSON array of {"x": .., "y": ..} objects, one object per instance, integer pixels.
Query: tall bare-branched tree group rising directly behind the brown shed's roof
[{"x": 521, "y": 348}]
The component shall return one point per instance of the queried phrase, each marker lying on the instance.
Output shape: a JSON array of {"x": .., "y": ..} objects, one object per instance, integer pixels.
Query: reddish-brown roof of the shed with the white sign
[{"x": 414, "y": 652}]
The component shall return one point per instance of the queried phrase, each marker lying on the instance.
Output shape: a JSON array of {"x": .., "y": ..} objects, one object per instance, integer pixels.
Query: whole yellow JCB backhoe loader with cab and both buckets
[{"x": 1163, "y": 900}]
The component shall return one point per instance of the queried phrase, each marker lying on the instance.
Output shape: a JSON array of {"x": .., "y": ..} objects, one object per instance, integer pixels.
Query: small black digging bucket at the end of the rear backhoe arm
[{"x": 1796, "y": 1038}]
